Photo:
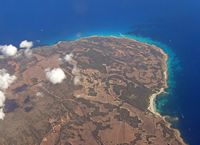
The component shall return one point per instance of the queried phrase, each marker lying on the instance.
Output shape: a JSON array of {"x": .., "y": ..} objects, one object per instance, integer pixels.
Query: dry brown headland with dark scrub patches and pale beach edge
[{"x": 106, "y": 96}]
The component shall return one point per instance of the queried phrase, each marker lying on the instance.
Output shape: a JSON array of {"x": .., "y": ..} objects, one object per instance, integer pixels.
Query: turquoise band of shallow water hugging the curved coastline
[{"x": 173, "y": 66}]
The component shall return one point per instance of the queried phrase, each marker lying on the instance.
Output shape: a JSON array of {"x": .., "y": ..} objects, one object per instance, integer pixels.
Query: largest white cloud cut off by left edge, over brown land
[{"x": 5, "y": 79}]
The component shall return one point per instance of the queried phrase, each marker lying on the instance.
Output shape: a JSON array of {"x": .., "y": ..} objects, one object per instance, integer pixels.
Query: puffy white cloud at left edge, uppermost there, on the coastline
[{"x": 8, "y": 50}]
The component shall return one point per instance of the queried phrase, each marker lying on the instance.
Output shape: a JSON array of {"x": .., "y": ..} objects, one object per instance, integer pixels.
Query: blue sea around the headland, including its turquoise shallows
[{"x": 174, "y": 24}]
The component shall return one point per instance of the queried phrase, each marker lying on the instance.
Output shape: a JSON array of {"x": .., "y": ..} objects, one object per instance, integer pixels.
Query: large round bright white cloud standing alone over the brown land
[{"x": 55, "y": 75}]
